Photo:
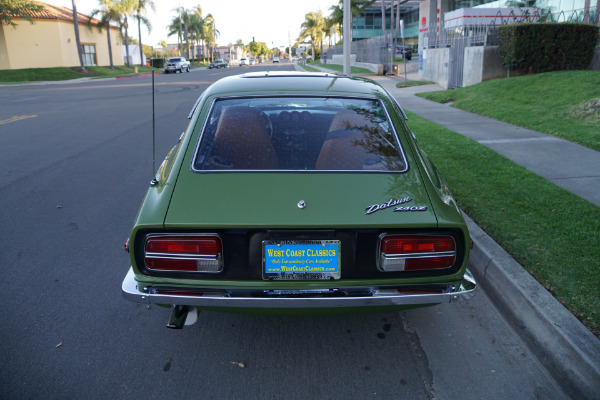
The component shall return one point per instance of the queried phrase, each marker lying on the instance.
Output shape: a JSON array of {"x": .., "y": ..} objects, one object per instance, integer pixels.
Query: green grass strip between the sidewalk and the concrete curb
[{"x": 551, "y": 232}]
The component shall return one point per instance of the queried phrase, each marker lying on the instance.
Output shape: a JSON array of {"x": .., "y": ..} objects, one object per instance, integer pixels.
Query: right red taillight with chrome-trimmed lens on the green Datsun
[{"x": 416, "y": 252}]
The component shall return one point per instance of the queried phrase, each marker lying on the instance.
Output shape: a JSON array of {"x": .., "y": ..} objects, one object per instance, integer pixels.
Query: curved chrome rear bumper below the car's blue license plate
[{"x": 379, "y": 297}]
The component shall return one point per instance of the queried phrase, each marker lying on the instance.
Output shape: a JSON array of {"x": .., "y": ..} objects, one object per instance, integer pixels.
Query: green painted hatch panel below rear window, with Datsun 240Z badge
[{"x": 299, "y": 200}]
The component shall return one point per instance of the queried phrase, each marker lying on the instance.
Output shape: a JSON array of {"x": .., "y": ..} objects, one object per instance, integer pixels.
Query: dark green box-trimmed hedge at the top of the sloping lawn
[{"x": 543, "y": 47}]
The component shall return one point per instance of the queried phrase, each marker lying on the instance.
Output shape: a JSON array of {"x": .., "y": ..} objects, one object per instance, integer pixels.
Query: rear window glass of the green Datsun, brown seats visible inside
[{"x": 298, "y": 134}]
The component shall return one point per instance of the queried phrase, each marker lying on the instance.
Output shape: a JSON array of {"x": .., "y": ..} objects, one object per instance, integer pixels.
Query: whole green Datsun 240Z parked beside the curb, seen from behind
[{"x": 297, "y": 192}]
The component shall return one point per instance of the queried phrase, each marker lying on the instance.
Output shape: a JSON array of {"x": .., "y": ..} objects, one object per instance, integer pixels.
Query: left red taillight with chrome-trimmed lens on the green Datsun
[{"x": 189, "y": 253}]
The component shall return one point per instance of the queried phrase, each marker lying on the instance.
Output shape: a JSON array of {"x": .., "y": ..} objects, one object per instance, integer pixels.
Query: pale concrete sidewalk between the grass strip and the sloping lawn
[{"x": 566, "y": 164}]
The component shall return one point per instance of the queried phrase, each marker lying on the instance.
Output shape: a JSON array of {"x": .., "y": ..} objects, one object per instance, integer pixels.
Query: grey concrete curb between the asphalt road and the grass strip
[{"x": 569, "y": 351}]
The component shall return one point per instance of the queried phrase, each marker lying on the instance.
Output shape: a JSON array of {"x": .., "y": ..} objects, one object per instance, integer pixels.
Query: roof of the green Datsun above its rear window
[{"x": 292, "y": 83}]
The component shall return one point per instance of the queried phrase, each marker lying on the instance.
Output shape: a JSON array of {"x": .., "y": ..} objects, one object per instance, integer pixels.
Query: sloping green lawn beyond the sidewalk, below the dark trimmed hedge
[{"x": 558, "y": 103}]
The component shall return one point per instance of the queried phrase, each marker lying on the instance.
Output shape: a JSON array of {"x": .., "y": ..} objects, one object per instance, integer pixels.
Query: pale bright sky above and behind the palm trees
[{"x": 269, "y": 21}]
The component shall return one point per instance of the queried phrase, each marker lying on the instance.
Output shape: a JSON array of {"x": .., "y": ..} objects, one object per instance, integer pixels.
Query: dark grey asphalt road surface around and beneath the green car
[{"x": 75, "y": 165}]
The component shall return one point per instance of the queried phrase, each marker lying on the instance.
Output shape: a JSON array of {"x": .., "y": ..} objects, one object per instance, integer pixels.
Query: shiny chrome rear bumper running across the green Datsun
[{"x": 365, "y": 297}]
